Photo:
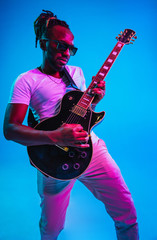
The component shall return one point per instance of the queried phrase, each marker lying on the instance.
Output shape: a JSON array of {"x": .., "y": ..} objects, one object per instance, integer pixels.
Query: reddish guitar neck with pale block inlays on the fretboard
[{"x": 87, "y": 97}]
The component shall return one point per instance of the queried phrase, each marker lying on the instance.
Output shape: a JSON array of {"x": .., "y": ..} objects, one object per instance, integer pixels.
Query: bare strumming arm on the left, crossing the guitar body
[{"x": 67, "y": 134}]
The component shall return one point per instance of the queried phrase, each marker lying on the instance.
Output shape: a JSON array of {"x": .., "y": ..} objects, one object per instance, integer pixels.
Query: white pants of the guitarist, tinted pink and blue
[{"x": 104, "y": 180}]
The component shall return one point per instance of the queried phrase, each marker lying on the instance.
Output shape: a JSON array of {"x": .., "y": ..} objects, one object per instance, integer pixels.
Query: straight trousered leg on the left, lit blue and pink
[{"x": 55, "y": 197}]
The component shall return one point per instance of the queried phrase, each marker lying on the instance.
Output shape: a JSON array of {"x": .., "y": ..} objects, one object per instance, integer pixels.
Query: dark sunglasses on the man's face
[{"x": 62, "y": 47}]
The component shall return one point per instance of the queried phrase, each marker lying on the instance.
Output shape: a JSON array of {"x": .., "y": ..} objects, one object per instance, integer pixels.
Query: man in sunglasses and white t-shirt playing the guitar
[{"x": 42, "y": 90}]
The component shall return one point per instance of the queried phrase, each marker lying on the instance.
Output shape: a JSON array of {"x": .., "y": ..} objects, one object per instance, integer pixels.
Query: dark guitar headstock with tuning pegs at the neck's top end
[{"x": 127, "y": 36}]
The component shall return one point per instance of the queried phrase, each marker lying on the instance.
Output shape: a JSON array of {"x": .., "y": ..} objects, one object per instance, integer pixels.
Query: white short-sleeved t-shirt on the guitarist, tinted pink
[{"x": 43, "y": 93}]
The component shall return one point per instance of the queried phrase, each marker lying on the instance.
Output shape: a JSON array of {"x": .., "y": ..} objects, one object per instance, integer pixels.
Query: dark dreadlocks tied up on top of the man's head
[{"x": 44, "y": 22}]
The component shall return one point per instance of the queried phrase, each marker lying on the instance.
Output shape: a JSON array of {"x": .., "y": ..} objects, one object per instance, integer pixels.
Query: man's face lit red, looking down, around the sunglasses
[{"x": 55, "y": 58}]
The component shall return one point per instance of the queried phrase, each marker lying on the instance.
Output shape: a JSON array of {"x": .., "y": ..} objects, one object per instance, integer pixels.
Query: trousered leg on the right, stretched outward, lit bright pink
[{"x": 104, "y": 180}]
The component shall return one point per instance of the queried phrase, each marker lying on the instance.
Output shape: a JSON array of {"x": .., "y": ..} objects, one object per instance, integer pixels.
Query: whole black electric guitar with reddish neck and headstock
[{"x": 66, "y": 163}]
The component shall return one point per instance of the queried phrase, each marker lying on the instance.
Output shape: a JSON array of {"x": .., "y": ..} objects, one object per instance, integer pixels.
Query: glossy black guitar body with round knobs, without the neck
[{"x": 69, "y": 162}]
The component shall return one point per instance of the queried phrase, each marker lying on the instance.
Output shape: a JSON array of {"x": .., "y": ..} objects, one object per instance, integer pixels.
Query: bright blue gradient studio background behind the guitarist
[{"x": 129, "y": 128}]
